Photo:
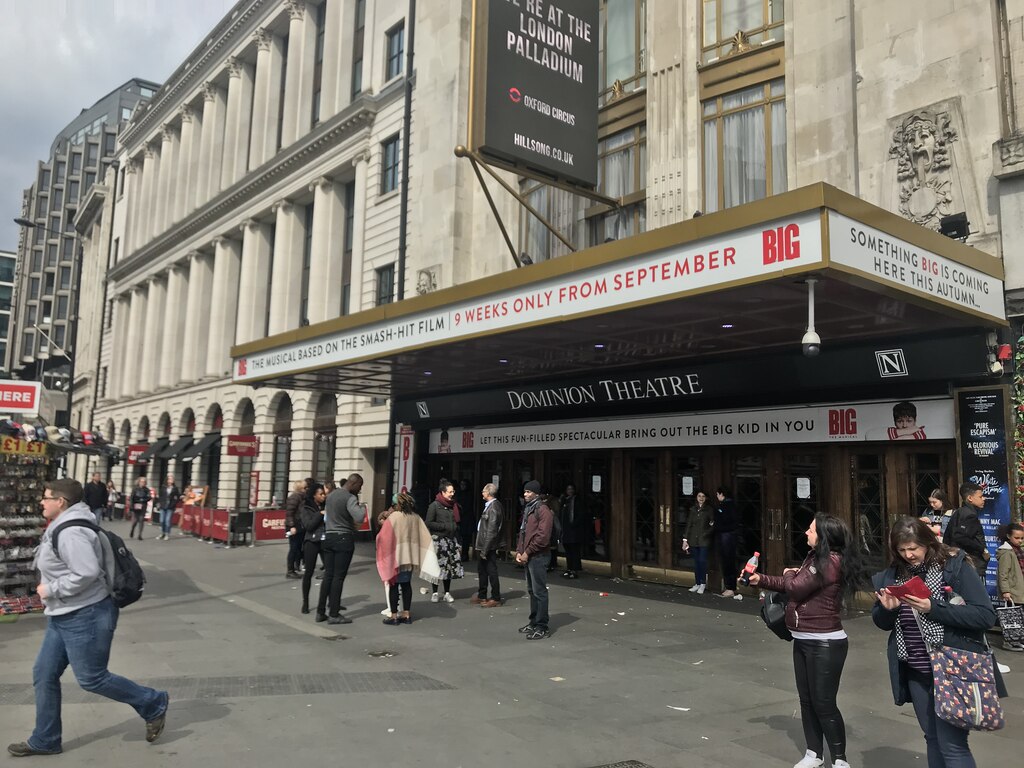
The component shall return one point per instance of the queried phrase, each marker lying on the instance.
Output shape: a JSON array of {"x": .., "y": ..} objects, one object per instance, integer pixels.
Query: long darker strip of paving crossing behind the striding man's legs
[{"x": 251, "y": 687}]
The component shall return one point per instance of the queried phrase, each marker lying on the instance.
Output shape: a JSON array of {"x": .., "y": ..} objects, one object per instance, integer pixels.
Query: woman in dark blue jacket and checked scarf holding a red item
[{"x": 916, "y": 551}]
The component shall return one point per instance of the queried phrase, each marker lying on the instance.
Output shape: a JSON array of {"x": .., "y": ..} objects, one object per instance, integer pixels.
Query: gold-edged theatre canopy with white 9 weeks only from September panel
[{"x": 724, "y": 286}]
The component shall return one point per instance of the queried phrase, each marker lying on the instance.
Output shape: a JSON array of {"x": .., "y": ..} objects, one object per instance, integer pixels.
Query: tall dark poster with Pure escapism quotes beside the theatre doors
[{"x": 982, "y": 429}]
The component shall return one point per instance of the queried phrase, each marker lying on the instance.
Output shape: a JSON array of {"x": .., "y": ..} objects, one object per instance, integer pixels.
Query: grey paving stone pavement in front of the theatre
[{"x": 649, "y": 676}]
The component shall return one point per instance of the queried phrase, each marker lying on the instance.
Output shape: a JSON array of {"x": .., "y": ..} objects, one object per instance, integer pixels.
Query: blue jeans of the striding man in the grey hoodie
[{"x": 83, "y": 638}]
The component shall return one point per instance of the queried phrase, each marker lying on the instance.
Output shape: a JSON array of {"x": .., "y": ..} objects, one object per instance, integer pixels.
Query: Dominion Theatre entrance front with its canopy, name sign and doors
[{"x": 645, "y": 370}]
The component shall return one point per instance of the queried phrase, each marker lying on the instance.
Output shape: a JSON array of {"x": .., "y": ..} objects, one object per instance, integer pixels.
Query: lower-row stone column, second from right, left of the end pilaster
[{"x": 326, "y": 259}]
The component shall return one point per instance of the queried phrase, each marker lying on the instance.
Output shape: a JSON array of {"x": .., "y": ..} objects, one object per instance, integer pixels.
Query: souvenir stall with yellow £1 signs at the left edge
[{"x": 24, "y": 468}]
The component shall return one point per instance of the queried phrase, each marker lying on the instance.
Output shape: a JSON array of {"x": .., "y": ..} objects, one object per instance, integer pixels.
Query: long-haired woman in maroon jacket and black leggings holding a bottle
[{"x": 817, "y": 591}]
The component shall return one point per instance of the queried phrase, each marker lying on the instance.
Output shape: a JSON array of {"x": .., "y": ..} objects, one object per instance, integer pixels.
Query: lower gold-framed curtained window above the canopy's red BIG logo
[{"x": 745, "y": 146}]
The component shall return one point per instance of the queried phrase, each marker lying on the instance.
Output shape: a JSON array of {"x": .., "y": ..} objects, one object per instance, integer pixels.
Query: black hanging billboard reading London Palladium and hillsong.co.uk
[{"x": 536, "y": 87}]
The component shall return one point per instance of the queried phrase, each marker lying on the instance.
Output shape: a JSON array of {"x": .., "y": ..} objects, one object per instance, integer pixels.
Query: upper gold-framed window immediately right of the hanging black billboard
[{"x": 623, "y": 48}]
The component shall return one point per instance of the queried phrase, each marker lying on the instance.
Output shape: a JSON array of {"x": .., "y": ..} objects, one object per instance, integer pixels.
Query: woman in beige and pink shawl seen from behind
[{"x": 404, "y": 545}]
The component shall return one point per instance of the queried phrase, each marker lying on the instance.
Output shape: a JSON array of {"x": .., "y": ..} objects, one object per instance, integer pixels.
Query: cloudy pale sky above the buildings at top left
[{"x": 61, "y": 57}]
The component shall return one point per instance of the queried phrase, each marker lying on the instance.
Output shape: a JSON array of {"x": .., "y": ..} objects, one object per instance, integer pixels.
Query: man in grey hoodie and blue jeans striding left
[{"x": 75, "y": 587}]
